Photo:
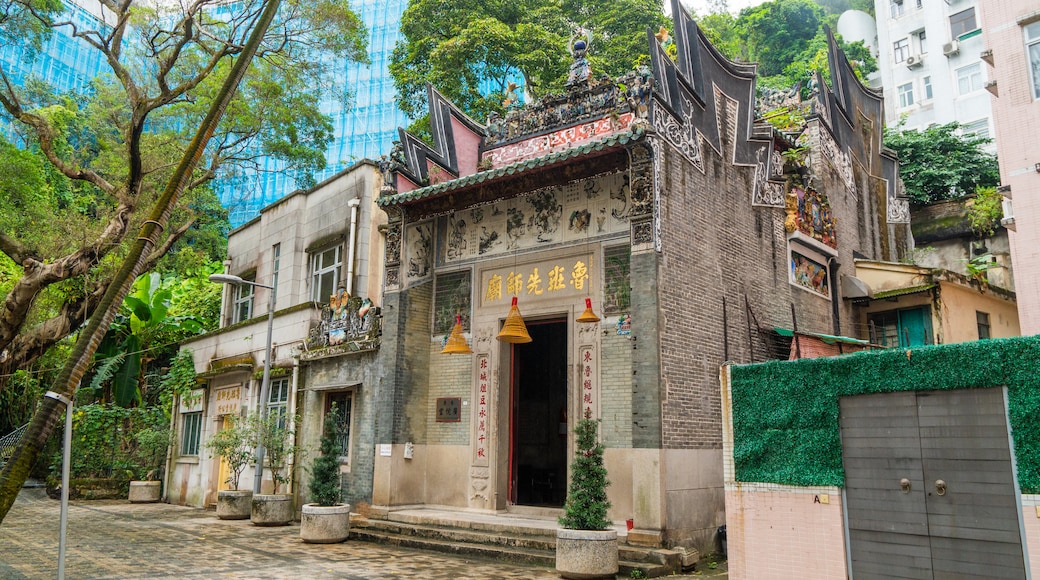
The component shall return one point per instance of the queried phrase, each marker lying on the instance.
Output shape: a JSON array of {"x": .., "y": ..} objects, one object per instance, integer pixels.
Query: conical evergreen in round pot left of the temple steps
[{"x": 326, "y": 521}]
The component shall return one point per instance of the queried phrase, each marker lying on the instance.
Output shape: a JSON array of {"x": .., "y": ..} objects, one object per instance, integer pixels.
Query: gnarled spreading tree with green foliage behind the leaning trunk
[{"x": 92, "y": 165}]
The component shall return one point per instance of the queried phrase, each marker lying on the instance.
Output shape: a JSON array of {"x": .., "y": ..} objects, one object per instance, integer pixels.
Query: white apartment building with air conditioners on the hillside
[{"x": 931, "y": 67}]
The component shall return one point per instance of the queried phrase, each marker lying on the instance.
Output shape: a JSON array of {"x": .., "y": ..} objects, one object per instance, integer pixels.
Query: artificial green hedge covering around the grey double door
[{"x": 786, "y": 414}]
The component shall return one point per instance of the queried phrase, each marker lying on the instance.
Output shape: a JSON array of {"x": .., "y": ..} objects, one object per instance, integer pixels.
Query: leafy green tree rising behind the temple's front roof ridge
[{"x": 471, "y": 51}]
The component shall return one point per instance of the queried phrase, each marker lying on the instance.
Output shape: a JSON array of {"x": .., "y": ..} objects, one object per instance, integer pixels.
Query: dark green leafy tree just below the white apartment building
[{"x": 940, "y": 164}]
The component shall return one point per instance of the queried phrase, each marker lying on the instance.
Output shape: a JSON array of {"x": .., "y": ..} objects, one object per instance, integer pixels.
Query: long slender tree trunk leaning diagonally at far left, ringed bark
[{"x": 17, "y": 470}]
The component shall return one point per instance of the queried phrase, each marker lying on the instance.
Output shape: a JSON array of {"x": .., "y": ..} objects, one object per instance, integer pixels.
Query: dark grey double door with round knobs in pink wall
[{"x": 930, "y": 488}]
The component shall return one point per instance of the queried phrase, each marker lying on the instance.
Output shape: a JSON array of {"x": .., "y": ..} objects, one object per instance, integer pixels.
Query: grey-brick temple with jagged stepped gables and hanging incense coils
[{"x": 647, "y": 229}]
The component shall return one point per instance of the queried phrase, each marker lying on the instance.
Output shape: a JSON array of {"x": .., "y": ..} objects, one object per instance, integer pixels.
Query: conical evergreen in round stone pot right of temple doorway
[{"x": 587, "y": 547}]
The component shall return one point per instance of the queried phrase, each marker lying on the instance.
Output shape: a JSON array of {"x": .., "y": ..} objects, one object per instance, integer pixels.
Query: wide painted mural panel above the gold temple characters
[{"x": 574, "y": 213}]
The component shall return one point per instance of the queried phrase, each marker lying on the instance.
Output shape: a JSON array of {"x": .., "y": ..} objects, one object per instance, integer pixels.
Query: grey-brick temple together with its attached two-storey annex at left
[{"x": 600, "y": 254}]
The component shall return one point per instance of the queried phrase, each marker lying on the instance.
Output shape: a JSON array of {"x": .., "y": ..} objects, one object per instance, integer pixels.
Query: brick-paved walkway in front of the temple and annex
[{"x": 114, "y": 539}]
